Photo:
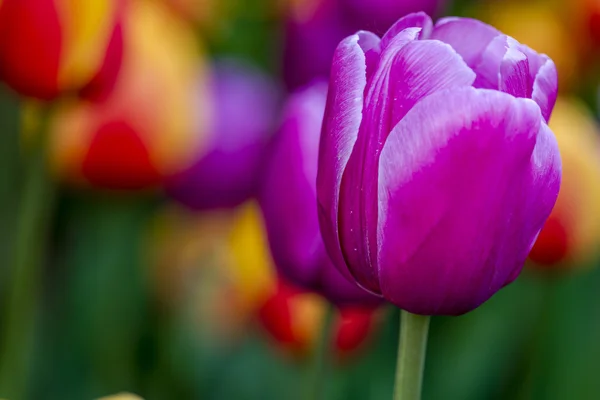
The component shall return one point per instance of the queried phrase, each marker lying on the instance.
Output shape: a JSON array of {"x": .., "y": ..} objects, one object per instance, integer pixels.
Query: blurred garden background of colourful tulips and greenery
[{"x": 133, "y": 252}]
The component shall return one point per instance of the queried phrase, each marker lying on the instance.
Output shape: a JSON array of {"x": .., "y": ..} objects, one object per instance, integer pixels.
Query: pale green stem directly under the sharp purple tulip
[{"x": 411, "y": 356}]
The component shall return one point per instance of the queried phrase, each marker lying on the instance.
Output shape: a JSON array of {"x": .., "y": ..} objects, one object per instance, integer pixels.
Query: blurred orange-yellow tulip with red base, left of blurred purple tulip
[{"x": 148, "y": 127}]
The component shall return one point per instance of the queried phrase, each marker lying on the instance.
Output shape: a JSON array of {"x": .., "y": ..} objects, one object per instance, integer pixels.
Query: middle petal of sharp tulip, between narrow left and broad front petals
[{"x": 408, "y": 71}]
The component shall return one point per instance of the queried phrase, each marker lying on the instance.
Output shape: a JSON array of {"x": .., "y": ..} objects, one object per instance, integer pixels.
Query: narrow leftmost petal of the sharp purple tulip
[{"x": 340, "y": 130}]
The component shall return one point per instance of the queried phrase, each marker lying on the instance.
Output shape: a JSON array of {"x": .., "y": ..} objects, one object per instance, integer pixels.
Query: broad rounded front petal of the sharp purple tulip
[{"x": 448, "y": 238}]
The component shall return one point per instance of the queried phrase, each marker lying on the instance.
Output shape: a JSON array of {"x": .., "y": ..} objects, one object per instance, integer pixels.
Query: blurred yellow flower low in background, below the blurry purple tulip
[{"x": 217, "y": 264}]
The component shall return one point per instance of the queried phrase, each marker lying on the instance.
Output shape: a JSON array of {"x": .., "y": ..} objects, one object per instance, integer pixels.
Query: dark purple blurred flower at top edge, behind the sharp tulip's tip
[{"x": 315, "y": 27}]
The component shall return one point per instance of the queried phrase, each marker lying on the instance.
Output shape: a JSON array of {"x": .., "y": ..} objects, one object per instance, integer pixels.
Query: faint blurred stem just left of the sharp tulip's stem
[{"x": 320, "y": 360}]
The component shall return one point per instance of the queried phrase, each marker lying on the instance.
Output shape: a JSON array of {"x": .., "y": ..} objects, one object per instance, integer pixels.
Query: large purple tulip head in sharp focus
[{"x": 436, "y": 168}]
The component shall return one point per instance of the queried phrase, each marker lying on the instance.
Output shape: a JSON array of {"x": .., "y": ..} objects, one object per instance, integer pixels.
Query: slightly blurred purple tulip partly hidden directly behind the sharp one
[{"x": 289, "y": 202}]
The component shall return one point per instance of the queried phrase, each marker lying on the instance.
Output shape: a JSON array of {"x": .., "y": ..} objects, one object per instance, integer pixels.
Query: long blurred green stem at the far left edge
[{"x": 23, "y": 292}]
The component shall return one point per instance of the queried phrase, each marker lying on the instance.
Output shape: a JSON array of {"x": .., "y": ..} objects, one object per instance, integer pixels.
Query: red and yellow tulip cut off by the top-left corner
[{"x": 48, "y": 47}]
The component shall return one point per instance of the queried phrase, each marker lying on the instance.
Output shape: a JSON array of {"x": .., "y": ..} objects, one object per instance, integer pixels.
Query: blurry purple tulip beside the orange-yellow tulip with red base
[{"x": 245, "y": 104}]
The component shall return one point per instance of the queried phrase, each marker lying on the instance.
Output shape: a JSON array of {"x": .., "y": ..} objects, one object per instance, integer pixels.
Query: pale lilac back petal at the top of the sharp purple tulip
[{"x": 468, "y": 37}]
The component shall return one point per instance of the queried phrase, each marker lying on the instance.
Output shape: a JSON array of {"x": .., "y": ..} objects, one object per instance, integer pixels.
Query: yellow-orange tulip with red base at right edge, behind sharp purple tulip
[{"x": 570, "y": 237}]
